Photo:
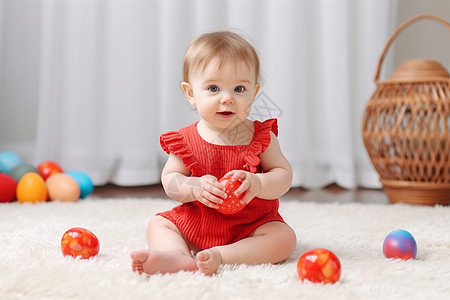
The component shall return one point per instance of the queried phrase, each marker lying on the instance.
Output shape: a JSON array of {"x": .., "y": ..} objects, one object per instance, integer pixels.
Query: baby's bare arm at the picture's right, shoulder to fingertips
[{"x": 274, "y": 182}]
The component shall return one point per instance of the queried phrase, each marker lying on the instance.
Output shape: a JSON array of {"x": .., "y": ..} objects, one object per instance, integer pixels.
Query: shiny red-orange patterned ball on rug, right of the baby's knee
[{"x": 319, "y": 266}]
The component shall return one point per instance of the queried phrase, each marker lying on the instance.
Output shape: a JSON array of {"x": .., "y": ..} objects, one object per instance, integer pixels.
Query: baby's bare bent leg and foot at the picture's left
[{"x": 167, "y": 251}]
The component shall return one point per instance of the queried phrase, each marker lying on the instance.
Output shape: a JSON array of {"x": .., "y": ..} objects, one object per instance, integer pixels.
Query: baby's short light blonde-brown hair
[{"x": 227, "y": 46}]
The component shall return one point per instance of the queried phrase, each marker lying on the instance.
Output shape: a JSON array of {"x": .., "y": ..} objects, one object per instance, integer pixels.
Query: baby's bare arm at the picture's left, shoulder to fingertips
[{"x": 181, "y": 187}]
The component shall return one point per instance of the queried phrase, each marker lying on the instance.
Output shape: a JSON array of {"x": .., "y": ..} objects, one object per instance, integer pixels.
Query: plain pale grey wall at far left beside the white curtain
[{"x": 19, "y": 73}]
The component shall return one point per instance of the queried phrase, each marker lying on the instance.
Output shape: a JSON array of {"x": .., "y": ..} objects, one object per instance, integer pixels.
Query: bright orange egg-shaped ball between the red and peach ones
[{"x": 31, "y": 188}]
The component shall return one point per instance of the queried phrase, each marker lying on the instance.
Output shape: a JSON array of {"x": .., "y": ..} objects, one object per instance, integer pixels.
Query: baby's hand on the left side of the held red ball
[{"x": 211, "y": 192}]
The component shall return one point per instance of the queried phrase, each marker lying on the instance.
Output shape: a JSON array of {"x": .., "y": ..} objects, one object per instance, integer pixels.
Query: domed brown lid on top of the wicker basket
[{"x": 419, "y": 70}]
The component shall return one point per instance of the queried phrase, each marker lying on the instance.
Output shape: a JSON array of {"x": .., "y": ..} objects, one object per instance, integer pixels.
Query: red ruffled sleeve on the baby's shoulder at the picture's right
[{"x": 259, "y": 143}]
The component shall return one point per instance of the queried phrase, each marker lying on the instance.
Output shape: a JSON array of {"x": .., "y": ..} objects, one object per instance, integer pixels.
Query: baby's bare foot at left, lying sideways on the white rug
[{"x": 152, "y": 262}]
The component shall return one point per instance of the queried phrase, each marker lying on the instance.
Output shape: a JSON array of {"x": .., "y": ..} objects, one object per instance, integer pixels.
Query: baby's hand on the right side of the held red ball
[{"x": 250, "y": 184}]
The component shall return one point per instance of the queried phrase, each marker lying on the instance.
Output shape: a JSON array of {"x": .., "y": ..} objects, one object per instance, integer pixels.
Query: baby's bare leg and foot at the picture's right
[{"x": 272, "y": 242}]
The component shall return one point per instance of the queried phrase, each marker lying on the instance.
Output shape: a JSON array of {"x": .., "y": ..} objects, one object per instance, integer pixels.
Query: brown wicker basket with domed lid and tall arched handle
[{"x": 406, "y": 129}]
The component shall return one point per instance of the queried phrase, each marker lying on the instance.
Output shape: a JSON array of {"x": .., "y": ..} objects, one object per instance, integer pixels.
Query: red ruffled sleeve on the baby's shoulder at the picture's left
[{"x": 173, "y": 142}]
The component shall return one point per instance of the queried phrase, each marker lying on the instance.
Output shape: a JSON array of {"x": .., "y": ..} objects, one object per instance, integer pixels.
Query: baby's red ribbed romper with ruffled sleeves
[{"x": 204, "y": 226}]
